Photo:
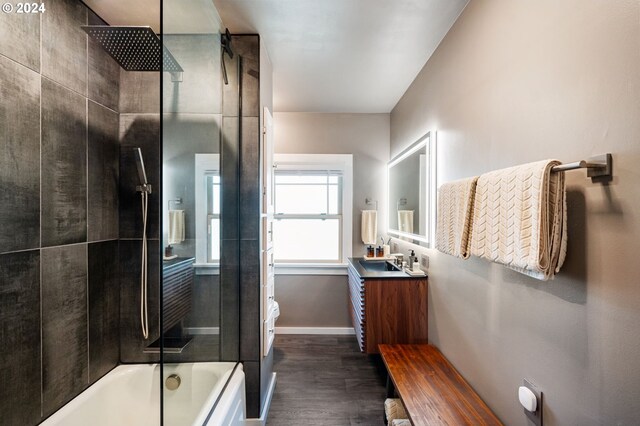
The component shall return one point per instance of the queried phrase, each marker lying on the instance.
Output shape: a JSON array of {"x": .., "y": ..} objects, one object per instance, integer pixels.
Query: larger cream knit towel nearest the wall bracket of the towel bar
[{"x": 520, "y": 217}]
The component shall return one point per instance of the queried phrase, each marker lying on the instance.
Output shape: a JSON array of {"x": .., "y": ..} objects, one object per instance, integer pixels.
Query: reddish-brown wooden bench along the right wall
[{"x": 432, "y": 391}]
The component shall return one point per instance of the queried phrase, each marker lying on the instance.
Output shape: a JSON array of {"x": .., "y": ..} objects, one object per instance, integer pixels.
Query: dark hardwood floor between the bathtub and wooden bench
[{"x": 326, "y": 381}]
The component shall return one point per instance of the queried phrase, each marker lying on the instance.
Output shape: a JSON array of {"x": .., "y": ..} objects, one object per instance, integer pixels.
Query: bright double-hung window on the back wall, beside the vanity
[{"x": 312, "y": 200}]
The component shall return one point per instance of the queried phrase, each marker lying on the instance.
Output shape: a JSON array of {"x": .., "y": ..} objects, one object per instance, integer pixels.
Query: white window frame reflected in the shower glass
[{"x": 205, "y": 164}]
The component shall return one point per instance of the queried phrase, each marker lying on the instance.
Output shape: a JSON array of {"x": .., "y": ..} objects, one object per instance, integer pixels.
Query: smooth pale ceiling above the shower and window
[{"x": 327, "y": 55}]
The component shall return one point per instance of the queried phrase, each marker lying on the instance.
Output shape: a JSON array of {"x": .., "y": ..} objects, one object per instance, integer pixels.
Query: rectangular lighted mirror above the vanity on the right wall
[{"x": 411, "y": 192}]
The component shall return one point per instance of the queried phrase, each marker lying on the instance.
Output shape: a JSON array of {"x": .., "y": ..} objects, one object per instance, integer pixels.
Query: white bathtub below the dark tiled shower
[{"x": 130, "y": 395}]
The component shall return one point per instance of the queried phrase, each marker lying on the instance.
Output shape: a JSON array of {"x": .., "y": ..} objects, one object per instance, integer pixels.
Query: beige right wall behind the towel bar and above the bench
[{"x": 514, "y": 82}]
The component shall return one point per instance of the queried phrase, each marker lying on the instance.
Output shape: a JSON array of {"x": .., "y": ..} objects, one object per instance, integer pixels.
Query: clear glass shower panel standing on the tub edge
[{"x": 192, "y": 121}]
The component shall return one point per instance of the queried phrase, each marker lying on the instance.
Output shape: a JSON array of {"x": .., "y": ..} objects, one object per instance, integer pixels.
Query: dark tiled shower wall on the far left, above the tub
[{"x": 59, "y": 298}]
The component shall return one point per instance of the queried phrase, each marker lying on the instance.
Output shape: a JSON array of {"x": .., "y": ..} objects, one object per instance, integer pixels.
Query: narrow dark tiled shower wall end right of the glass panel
[{"x": 247, "y": 219}]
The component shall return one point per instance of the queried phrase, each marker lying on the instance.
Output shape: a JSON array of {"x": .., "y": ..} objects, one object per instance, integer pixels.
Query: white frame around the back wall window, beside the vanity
[{"x": 343, "y": 163}]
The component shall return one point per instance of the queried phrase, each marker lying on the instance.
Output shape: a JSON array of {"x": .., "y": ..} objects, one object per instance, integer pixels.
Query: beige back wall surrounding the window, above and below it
[{"x": 322, "y": 301}]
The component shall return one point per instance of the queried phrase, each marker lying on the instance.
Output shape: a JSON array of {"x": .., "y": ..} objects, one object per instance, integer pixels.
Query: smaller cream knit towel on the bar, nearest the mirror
[{"x": 455, "y": 216}]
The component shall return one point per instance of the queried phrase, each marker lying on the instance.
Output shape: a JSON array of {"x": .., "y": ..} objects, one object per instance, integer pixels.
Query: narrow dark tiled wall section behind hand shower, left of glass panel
[{"x": 139, "y": 127}]
